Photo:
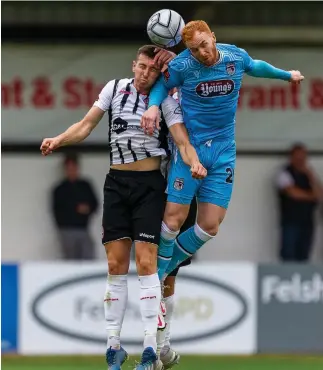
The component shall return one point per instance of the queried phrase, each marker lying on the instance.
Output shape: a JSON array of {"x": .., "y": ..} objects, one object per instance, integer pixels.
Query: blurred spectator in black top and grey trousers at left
[{"x": 74, "y": 201}]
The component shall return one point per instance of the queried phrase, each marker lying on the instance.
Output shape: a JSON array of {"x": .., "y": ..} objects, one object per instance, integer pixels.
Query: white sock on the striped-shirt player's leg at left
[{"x": 115, "y": 303}]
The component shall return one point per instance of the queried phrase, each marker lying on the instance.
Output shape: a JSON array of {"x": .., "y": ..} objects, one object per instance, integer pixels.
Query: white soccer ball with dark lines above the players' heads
[{"x": 164, "y": 28}]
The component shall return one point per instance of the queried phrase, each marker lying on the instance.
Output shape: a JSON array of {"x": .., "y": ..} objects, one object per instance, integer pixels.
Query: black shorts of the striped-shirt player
[{"x": 133, "y": 206}]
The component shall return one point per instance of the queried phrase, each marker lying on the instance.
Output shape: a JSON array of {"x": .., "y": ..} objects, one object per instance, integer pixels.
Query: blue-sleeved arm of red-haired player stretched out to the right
[{"x": 260, "y": 68}]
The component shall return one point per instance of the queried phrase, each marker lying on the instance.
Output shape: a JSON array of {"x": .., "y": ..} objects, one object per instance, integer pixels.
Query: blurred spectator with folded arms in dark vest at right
[{"x": 299, "y": 192}]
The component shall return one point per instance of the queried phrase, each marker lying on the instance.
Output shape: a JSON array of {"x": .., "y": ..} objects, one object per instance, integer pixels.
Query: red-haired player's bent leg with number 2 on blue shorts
[{"x": 214, "y": 196}]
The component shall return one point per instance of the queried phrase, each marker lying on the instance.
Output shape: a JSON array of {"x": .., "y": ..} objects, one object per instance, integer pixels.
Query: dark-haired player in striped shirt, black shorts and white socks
[{"x": 133, "y": 196}]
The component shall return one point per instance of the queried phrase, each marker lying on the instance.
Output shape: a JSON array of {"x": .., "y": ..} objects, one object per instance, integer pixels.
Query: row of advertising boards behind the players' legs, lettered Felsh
[{"x": 221, "y": 308}]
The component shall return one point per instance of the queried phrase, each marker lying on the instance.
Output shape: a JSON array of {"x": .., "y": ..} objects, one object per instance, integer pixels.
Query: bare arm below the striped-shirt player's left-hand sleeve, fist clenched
[{"x": 75, "y": 133}]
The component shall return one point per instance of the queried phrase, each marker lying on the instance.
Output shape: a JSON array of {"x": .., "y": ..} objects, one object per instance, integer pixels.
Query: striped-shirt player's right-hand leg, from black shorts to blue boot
[{"x": 146, "y": 217}]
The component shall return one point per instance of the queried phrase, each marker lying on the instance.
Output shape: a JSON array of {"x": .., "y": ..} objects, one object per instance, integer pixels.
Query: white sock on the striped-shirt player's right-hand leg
[{"x": 150, "y": 295}]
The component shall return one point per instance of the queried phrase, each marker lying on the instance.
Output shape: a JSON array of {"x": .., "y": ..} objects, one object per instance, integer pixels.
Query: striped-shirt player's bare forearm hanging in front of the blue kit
[{"x": 188, "y": 153}]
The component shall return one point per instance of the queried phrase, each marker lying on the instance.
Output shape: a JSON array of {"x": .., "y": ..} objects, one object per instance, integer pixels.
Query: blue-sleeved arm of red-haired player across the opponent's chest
[{"x": 169, "y": 79}]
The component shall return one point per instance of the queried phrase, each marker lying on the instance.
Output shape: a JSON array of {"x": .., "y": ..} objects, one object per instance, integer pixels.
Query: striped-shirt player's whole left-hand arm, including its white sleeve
[{"x": 81, "y": 130}]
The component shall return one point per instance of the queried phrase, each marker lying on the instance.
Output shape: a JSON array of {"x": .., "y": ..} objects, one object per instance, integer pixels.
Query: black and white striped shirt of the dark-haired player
[{"x": 127, "y": 140}]
